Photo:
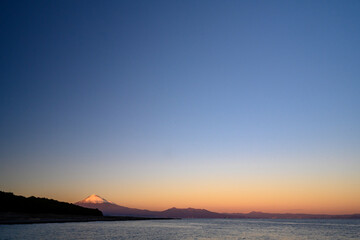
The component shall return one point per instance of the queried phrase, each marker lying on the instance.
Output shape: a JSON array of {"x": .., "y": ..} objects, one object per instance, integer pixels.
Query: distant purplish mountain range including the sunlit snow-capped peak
[{"x": 109, "y": 208}]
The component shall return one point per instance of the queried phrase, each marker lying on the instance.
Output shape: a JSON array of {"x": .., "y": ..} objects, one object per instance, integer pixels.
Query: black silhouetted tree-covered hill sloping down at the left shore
[{"x": 33, "y": 205}]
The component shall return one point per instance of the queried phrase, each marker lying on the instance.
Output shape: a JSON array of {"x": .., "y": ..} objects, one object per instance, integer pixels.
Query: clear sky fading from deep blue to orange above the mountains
[{"x": 232, "y": 106}]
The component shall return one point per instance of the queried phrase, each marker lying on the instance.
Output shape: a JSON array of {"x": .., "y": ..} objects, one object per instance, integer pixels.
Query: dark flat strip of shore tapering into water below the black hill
[{"x": 17, "y": 218}]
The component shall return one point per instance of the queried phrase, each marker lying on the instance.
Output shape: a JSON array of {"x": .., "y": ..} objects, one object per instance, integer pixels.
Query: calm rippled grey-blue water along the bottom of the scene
[{"x": 189, "y": 229}]
